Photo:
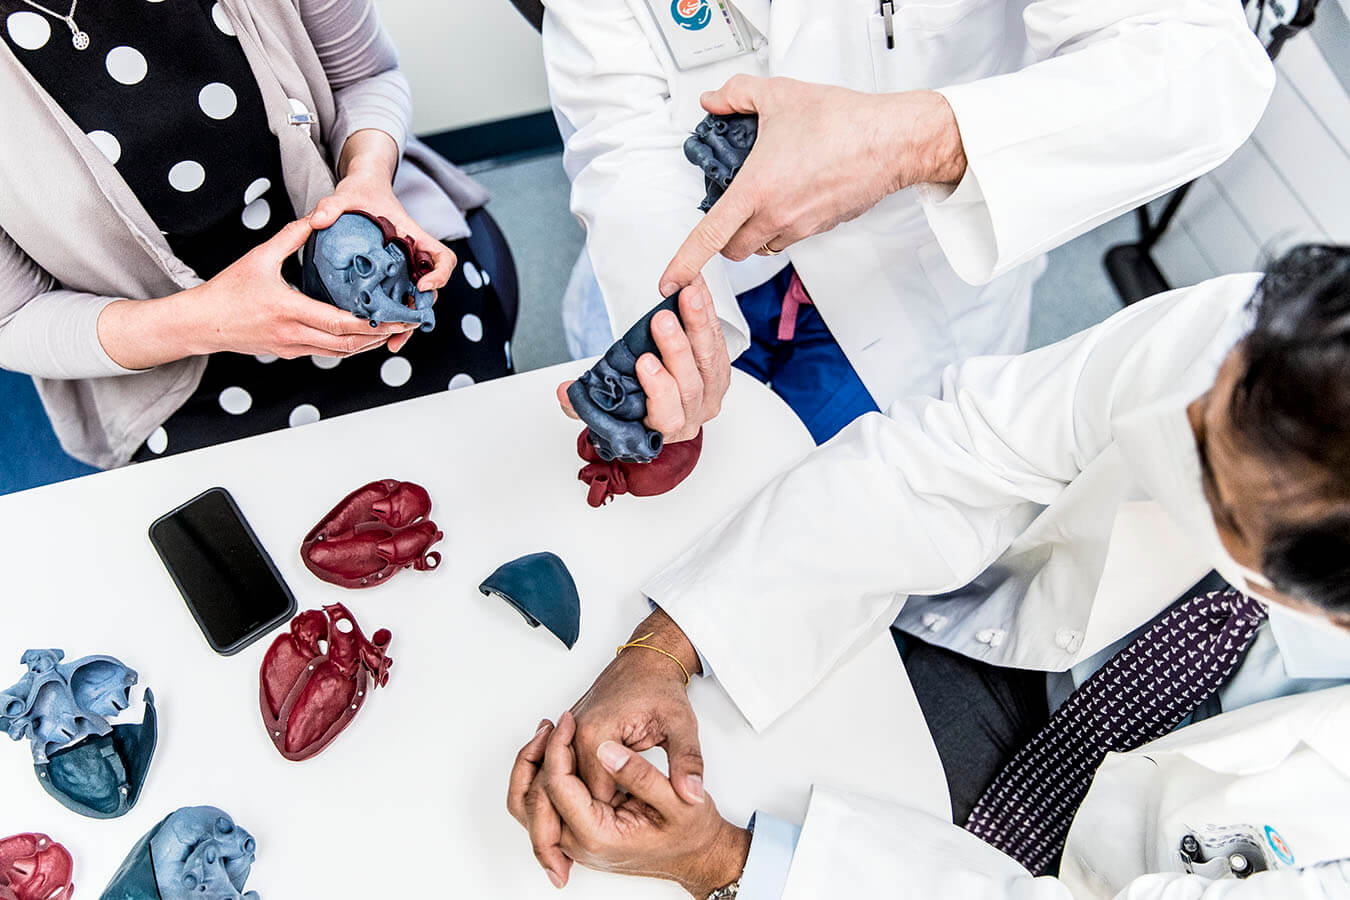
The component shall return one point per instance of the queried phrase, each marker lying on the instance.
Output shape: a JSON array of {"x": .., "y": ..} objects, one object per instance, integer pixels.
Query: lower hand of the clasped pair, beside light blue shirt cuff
[{"x": 647, "y": 831}]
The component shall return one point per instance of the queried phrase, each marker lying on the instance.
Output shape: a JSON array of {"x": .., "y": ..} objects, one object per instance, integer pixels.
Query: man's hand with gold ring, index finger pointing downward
[{"x": 824, "y": 156}]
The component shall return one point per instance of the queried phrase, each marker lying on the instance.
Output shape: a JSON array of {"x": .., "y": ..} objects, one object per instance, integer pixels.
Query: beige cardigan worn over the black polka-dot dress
[{"x": 67, "y": 254}]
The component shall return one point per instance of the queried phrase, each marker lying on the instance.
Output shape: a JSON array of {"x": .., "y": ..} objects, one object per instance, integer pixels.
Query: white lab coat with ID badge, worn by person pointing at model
[{"x": 1123, "y": 102}]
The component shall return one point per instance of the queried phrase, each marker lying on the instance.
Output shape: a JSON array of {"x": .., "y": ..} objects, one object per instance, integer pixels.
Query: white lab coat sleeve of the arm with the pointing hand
[{"x": 1128, "y": 101}]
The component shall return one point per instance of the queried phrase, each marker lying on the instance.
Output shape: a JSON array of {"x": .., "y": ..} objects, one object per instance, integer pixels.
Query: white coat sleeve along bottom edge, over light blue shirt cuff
[{"x": 875, "y": 849}]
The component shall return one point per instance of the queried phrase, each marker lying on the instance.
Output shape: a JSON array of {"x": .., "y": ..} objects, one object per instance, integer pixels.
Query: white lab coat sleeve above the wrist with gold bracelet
[{"x": 919, "y": 501}]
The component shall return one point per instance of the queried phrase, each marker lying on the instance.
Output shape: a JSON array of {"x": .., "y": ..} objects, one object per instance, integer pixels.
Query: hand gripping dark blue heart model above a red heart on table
[{"x": 686, "y": 391}]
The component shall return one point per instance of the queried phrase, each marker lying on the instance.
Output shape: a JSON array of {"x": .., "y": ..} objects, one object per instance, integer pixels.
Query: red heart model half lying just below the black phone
[{"x": 315, "y": 679}]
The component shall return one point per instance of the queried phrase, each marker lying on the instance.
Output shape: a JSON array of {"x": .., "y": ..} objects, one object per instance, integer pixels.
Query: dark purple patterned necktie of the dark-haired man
[{"x": 1140, "y": 696}]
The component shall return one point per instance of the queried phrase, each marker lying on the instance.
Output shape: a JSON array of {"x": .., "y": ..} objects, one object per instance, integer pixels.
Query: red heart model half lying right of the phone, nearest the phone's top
[{"x": 375, "y": 532}]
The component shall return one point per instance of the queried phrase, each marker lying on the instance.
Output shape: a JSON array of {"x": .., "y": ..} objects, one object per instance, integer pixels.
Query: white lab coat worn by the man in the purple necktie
[{"x": 1067, "y": 480}]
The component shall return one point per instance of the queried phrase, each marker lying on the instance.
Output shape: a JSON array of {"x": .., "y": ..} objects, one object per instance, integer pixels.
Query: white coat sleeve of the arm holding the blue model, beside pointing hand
[{"x": 634, "y": 191}]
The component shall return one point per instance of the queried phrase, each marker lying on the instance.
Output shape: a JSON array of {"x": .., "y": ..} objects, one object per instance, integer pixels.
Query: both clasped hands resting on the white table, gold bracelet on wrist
[{"x": 587, "y": 795}]
